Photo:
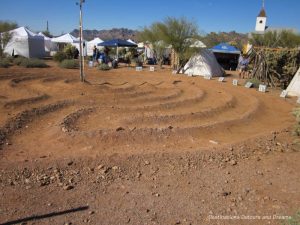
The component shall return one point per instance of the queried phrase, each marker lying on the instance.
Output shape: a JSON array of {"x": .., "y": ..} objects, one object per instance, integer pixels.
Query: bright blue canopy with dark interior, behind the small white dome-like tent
[{"x": 227, "y": 55}]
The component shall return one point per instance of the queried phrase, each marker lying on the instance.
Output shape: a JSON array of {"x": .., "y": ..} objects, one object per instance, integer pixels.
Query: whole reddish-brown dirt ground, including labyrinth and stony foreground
[{"x": 141, "y": 147}]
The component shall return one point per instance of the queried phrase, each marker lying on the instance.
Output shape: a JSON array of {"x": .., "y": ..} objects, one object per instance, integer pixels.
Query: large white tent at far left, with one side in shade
[{"x": 25, "y": 43}]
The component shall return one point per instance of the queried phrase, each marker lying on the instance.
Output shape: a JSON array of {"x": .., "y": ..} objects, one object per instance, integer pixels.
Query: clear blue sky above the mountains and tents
[{"x": 210, "y": 15}]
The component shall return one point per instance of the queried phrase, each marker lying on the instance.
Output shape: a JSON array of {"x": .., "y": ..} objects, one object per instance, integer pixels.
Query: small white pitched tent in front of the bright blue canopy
[{"x": 204, "y": 64}]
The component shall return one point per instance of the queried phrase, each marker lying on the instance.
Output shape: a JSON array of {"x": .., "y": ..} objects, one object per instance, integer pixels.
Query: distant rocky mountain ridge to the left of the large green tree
[{"x": 120, "y": 33}]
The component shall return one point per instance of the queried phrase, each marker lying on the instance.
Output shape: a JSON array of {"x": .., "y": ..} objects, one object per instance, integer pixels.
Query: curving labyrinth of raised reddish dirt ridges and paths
[{"x": 123, "y": 111}]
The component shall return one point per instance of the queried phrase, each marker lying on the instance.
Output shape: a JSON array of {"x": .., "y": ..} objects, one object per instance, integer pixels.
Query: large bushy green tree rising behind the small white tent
[{"x": 174, "y": 32}]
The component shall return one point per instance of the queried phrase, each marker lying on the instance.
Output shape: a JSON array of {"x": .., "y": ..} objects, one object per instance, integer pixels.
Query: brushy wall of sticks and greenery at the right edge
[{"x": 274, "y": 67}]
